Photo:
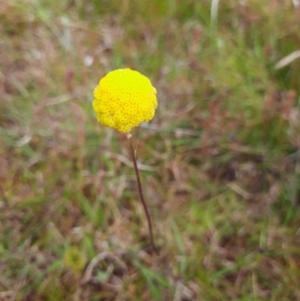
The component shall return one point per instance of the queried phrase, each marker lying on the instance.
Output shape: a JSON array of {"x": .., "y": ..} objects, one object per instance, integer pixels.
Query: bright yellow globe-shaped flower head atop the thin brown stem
[{"x": 124, "y": 99}]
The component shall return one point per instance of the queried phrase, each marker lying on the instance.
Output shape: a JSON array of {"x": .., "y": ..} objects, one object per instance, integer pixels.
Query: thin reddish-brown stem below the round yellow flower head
[{"x": 129, "y": 137}]
